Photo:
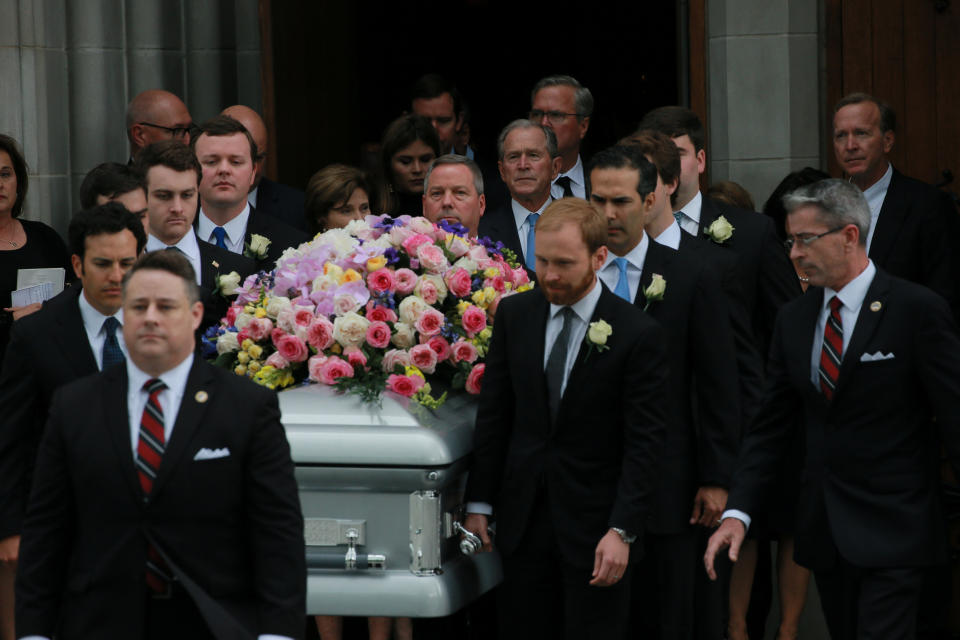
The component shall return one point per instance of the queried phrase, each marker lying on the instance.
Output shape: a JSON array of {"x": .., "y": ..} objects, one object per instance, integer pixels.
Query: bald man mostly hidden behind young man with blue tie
[{"x": 267, "y": 196}]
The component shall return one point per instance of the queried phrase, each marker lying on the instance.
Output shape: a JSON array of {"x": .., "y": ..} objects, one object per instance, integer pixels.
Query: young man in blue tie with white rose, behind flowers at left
[{"x": 226, "y": 152}]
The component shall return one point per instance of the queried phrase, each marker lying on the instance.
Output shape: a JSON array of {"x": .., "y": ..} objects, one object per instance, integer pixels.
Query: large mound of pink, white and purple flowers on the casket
[{"x": 382, "y": 304}]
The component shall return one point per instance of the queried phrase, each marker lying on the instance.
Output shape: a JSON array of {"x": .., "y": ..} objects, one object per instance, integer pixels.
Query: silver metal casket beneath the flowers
[{"x": 381, "y": 490}]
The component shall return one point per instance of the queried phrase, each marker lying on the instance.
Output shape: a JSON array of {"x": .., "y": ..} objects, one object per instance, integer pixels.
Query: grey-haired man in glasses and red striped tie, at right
[{"x": 869, "y": 361}]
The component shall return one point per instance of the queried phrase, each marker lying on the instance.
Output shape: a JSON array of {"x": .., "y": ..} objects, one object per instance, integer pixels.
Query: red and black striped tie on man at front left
[{"x": 150, "y": 448}]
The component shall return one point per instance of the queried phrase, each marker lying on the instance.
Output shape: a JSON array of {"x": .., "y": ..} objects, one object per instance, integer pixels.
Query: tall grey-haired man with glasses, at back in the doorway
[{"x": 564, "y": 105}]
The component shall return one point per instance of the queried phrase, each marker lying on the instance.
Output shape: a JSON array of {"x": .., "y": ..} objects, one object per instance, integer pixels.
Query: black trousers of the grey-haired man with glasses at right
[{"x": 870, "y": 604}]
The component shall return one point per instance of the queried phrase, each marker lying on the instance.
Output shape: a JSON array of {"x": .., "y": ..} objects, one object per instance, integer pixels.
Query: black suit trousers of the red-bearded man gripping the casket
[{"x": 544, "y": 597}]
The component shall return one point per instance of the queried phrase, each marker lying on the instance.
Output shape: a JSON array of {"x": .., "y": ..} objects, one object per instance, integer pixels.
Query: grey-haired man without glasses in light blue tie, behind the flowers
[{"x": 529, "y": 161}]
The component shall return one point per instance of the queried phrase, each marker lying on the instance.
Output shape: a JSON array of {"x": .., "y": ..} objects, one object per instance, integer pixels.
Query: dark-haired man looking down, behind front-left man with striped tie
[{"x": 73, "y": 335}]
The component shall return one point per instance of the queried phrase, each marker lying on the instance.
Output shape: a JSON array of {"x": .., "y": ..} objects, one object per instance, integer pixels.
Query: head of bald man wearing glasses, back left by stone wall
[{"x": 155, "y": 115}]
